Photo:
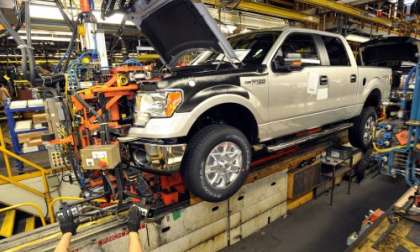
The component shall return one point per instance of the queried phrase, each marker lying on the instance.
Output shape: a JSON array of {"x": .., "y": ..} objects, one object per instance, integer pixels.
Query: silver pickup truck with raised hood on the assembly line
[{"x": 249, "y": 90}]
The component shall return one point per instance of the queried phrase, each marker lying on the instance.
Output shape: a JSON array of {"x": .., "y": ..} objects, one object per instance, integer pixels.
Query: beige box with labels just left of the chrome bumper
[{"x": 98, "y": 157}]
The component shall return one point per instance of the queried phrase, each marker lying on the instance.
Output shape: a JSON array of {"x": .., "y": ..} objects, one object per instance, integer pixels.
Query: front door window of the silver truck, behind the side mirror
[{"x": 303, "y": 44}]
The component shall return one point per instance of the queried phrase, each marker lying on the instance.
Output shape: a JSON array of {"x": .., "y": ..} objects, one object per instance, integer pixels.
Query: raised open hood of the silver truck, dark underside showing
[{"x": 176, "y": 26}]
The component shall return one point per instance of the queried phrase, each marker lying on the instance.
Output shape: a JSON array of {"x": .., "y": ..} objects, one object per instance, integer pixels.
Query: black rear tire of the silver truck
[{"x": 357, "y": 132}]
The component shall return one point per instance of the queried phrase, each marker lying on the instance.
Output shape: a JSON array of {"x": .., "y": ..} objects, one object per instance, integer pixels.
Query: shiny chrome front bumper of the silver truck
[{"x": 157, "y": 158}]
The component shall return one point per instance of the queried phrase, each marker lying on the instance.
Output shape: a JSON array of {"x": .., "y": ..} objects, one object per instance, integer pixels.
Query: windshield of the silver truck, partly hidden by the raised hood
[{"x": 250, "y": 48}]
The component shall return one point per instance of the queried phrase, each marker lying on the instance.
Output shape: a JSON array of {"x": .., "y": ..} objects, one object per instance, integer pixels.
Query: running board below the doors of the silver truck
[{"x": 282, "y": 144}]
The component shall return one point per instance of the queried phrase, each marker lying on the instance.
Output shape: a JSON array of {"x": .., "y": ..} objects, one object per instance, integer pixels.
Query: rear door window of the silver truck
[{"x": 336, "y": 51}]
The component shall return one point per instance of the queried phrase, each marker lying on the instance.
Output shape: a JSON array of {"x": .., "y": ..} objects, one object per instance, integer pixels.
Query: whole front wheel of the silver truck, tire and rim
[{"x": 216, "y": 163}]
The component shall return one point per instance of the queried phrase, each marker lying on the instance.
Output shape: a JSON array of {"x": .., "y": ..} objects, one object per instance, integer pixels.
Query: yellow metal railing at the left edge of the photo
[{"x": 10, "y": 178}]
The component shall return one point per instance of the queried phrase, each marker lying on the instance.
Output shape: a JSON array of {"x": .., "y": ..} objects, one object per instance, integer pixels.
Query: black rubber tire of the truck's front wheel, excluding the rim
[{"x": 199, "y": 148}]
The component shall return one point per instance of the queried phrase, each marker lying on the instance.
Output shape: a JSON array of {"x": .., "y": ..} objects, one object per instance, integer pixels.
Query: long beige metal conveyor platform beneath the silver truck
[{"x": 200, "y": 226}]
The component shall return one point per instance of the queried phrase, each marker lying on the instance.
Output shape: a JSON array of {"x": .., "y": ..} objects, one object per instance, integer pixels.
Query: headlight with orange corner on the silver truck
[{"x": 157, "y": 104}]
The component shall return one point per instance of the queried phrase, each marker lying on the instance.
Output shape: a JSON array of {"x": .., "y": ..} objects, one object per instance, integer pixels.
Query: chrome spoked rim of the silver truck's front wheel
[{"x": 223, "y": 165}]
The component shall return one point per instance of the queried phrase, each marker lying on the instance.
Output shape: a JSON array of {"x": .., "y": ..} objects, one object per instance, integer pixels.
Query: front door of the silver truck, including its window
[{"x": 289, "y": 91}]
